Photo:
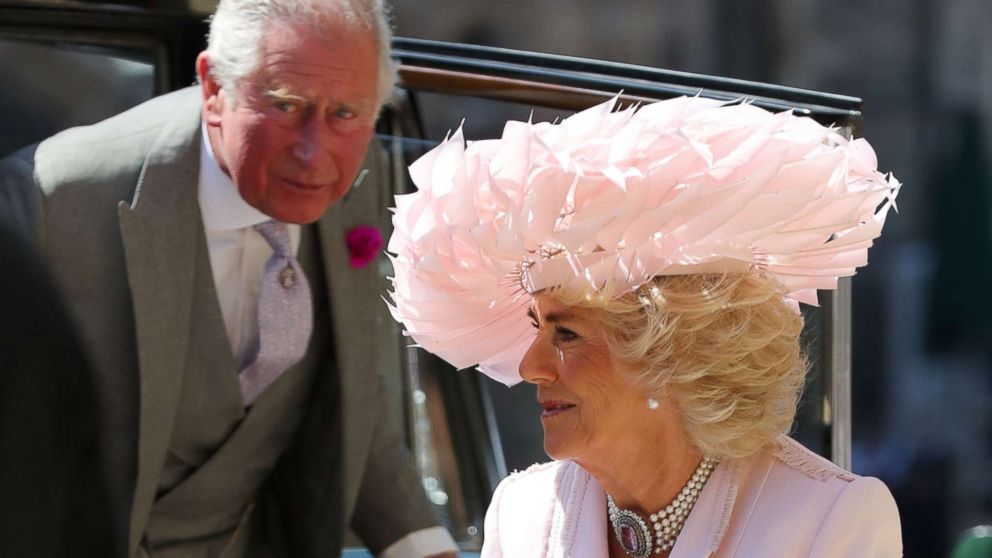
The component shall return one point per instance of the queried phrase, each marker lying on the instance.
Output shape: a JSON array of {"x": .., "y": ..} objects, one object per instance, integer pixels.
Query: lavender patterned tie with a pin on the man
[{"x": 285, "y": 316}]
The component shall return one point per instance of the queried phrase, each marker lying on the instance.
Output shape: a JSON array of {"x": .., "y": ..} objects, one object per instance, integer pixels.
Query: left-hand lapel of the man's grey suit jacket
[{"x": 160, "y": 230}]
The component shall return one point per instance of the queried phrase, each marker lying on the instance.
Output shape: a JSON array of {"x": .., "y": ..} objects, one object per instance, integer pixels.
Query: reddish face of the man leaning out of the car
[{"x": 296, "y": 135}]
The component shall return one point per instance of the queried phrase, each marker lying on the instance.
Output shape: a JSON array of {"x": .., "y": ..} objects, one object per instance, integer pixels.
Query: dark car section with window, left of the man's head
[{"x": 66, "y": 63}]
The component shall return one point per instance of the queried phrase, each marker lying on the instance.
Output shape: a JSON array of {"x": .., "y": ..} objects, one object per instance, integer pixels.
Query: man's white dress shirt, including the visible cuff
[{"x": 238, "y": 254}]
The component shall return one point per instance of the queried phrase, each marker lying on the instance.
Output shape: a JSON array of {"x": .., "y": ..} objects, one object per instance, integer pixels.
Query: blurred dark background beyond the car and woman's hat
[{"x": 922, "y": 356}]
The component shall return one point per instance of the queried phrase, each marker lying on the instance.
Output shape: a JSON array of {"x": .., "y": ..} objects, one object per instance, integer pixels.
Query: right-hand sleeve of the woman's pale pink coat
[{"x": 863, "y": 523}]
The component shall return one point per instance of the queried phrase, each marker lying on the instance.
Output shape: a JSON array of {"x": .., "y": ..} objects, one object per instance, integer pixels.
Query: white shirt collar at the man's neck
[{"x": 221, "y": 204}]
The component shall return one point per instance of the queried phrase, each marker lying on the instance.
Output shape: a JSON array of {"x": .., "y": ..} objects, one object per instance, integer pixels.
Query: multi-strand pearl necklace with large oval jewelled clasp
[{"x": 634, "y": 534}]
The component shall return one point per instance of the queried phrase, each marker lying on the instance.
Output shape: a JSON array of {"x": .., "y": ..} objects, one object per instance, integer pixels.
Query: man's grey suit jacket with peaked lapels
[{"x": 115, "y": 211}]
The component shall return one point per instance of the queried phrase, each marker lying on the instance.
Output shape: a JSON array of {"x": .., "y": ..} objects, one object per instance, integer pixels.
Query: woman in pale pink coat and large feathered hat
[{"x": 660, "y": 255}]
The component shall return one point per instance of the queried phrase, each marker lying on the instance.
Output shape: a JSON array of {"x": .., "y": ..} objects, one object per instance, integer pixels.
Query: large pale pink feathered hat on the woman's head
[{"x": 604, "y": 197}]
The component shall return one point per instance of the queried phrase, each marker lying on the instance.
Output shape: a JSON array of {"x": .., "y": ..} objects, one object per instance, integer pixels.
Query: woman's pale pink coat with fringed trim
[{"x": 784, "y": 503}]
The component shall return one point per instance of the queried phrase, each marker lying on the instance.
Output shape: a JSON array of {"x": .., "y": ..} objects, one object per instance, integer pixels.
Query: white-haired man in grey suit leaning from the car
[{"x": 199, "y": 240}]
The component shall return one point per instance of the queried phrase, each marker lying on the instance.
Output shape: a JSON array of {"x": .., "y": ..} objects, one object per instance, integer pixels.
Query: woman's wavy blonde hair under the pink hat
[{"x": 726, "y": 348}]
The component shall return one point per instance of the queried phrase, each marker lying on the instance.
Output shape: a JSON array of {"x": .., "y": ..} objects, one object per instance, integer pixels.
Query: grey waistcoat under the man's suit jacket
[{"x": 220, "y": 454}]
